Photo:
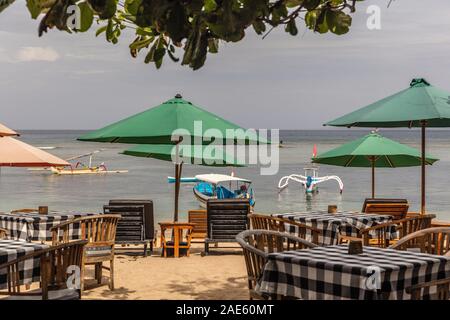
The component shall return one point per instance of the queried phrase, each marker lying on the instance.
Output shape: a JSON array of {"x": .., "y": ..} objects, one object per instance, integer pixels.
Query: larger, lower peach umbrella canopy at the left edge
[{"x": 15, "y": 153}]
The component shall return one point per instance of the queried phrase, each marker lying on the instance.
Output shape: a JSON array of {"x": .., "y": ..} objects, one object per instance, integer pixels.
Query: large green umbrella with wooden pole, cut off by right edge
[{"x": 421, "y": 105}]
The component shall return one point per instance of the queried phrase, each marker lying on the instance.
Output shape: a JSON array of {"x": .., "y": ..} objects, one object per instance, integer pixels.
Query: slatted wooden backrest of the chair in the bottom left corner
[{"x": 57, "y": 263}]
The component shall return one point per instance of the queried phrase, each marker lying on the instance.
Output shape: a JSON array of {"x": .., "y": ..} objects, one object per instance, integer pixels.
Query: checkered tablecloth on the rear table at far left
[{"x": 36, "y": 227}]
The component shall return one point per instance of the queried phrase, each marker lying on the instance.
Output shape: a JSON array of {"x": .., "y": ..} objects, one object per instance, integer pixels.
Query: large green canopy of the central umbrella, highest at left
[{"x": 156, "y": 125}]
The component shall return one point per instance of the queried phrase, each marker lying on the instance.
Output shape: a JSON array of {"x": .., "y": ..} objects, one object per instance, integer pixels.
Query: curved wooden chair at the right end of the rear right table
[{"x": 403, "y": 226}]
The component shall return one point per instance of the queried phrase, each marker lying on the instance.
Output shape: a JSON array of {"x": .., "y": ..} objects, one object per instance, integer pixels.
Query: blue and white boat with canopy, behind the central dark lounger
[{"x": 210, "y": 186}]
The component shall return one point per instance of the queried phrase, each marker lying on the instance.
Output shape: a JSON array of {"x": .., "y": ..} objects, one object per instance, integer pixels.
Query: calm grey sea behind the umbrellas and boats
[{"x": 147, "y": 178}]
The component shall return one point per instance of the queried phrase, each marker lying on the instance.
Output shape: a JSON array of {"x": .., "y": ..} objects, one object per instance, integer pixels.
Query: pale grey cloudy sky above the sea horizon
[{"x": 63, "y": 81}]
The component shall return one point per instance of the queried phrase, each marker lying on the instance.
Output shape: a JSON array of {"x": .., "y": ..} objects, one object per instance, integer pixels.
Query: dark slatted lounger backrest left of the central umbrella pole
[{"x": 130, "y": 227}]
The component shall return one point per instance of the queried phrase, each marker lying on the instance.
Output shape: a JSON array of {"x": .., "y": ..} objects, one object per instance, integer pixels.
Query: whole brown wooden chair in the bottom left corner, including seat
[{"x": 56, "y": 265}]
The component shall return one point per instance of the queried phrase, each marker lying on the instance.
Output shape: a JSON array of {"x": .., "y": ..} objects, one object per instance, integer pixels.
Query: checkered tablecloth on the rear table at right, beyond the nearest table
[{"x": 333, "y": 224}]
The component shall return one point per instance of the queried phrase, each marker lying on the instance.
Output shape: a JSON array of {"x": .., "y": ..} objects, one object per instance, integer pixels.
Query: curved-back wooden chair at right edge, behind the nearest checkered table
[{"x": 431, "y": 240}]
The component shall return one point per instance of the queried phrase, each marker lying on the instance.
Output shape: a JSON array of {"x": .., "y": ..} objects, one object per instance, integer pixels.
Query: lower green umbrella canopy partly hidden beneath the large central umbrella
[{"x": 200, "y": 155}]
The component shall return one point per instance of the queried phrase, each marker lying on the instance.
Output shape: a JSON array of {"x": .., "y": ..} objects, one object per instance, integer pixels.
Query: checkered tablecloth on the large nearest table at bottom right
[{"x": 331, "y": 273}]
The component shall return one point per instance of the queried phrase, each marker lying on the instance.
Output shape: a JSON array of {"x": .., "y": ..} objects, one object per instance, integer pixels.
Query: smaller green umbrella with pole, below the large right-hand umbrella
[{"x": 373, "y": 150}]
